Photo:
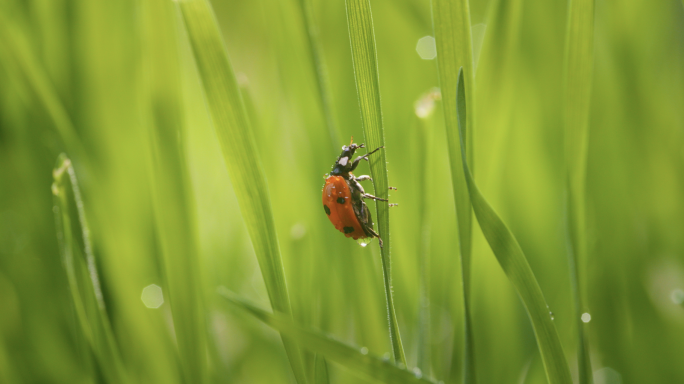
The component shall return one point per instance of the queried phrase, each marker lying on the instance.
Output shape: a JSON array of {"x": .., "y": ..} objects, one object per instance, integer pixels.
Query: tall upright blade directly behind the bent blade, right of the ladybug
[{"x": 451, "y": 23}]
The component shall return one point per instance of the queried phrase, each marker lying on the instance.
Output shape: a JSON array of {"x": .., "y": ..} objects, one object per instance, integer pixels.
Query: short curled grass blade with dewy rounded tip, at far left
[{"x": 82, "y": 275}]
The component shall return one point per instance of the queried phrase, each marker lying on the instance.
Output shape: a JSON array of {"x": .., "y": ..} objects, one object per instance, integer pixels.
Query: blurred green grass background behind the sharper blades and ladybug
[{"x": 88, "y": 68}]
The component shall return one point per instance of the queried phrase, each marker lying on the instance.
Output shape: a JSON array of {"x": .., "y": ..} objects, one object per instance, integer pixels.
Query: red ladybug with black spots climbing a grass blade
[{"x": 343, "y": 196}]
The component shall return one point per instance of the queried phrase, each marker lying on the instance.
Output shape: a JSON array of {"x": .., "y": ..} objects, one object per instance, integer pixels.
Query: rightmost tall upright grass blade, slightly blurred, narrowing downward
[{"x": 579, "y": 63}]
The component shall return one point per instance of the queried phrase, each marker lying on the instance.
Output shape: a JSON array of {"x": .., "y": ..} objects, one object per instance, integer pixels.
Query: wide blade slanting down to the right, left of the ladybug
[{"x": 239, "y": 152}]
